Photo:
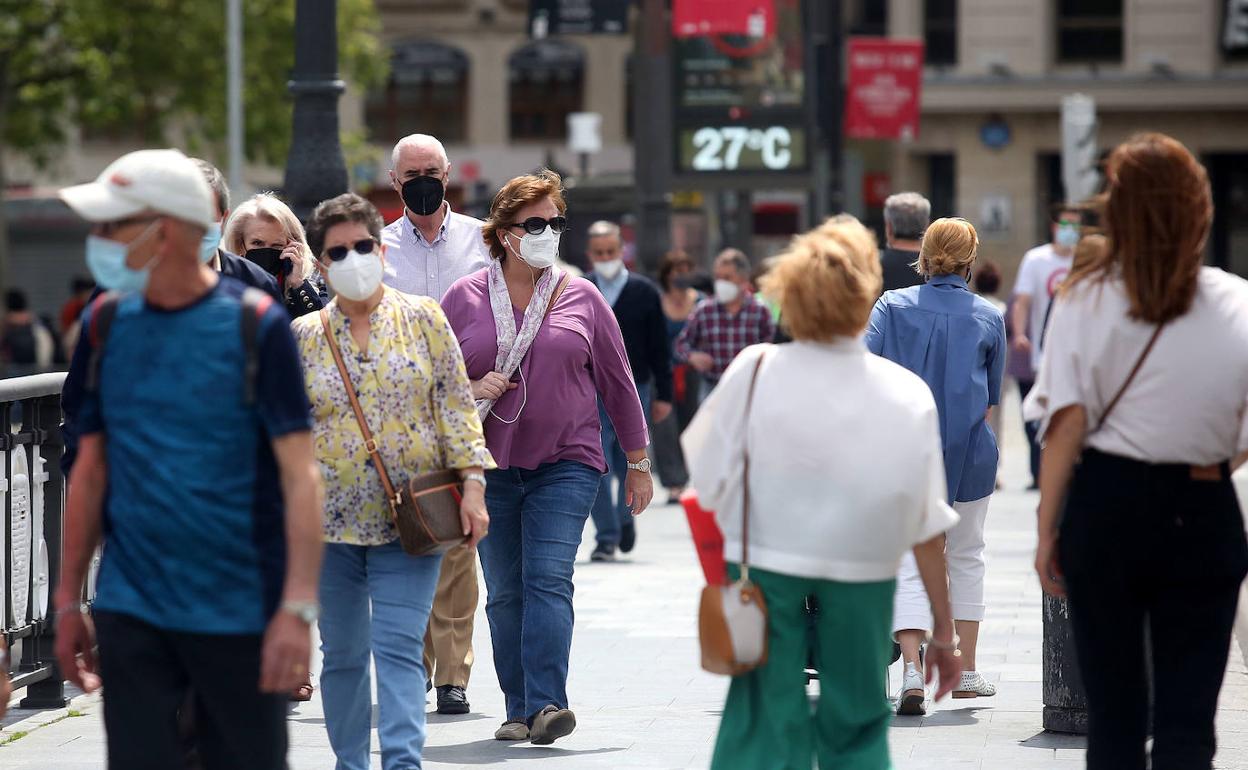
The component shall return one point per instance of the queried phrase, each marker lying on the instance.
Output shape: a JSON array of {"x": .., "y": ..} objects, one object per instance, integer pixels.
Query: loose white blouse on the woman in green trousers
[{"x": 847, "y": 472}]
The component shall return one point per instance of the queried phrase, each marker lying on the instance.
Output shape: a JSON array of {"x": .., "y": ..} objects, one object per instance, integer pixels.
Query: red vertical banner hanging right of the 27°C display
[{"x": 885, "y": 84}]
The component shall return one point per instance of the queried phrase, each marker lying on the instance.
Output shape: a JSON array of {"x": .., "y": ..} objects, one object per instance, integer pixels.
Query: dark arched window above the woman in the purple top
[{"x": 547, "y": 80}]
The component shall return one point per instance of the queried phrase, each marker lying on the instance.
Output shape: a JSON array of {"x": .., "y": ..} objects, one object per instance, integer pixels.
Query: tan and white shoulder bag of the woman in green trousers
[{"x": 733, "y": 620}]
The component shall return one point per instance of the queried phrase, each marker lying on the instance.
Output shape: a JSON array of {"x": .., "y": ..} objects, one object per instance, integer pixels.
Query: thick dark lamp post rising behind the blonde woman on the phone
[{"x": 315, "y": 168}]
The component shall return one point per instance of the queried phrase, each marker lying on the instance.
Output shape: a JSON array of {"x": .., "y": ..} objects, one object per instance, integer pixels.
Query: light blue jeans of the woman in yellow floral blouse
[{"x": 400, "y": 588}]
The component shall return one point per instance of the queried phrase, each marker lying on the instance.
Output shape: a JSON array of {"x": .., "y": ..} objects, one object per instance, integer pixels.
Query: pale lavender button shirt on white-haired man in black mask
[{"x": 416, "y": 266}]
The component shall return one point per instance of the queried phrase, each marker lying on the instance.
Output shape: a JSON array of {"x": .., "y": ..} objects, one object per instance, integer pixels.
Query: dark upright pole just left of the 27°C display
[{"x": 652, "y": 133}]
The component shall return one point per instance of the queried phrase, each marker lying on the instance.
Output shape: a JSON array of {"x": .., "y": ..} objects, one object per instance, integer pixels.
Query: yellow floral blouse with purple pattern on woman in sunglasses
[{"x": 415, "y": 394}]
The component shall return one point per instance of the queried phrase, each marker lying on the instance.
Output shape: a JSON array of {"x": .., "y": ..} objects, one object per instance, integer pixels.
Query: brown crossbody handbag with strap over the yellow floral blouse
[{"x": 426, "y": 509}]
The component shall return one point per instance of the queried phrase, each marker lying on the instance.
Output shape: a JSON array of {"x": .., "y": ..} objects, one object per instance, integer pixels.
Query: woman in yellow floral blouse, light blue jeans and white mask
[{"x": 409, "y": 373}]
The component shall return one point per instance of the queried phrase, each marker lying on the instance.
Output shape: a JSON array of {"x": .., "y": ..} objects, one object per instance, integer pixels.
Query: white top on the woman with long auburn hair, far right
[{"x": 1190, "y": 401}]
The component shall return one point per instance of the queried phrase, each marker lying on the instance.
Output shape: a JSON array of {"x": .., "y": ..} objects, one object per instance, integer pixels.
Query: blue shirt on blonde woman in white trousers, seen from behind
[{"x": 957, "y": 343}]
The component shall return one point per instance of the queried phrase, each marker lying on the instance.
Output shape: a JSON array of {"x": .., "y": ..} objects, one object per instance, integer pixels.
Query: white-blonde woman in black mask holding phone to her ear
[{"x": 265, "y": 231}]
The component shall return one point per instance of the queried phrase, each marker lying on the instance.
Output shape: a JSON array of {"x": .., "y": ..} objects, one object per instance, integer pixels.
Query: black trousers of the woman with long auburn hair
[{"x": 1151, "y": 547}]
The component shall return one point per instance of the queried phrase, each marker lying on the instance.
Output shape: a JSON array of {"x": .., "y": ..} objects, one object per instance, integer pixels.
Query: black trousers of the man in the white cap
[{"x": 148, "y": 673}]
